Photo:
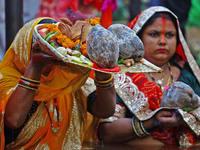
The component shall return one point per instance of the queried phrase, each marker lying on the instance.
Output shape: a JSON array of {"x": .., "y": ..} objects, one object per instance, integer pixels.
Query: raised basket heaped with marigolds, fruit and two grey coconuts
[{"x": 86, "y": 43}]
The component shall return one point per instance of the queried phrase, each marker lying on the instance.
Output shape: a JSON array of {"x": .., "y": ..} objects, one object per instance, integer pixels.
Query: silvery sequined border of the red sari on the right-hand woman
[{"x": 136, "y": 101}]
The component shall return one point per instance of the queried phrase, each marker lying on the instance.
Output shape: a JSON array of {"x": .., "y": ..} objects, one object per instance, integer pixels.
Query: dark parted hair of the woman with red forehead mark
[{"x": 154, "y": 17}]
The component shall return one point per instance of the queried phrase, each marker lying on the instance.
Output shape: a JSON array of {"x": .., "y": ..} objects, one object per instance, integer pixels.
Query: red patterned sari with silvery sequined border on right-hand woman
[{"x": 142, "y": 97}]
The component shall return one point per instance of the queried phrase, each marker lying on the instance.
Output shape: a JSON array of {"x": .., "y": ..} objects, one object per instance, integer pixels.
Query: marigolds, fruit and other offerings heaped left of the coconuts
[{"x": 67, "y": 39}]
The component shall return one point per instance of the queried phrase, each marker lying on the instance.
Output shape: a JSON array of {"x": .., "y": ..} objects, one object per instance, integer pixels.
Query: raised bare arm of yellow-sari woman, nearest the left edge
[{"x": 20, "y": 102}]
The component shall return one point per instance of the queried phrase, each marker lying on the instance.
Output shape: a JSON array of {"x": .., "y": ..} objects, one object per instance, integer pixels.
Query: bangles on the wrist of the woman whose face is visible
[{"x": 139, "y": 128}]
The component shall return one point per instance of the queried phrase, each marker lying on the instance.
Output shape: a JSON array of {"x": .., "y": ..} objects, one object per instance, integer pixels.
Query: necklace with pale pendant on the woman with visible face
[{"x": 159, "y": 82}]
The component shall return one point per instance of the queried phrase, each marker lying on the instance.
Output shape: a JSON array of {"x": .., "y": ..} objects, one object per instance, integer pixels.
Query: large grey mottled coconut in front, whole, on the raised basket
[{"x": 102, "y": 47}]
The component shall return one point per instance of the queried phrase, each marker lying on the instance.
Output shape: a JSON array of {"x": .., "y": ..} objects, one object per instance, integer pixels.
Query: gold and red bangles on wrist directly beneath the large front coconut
[{"x": 105, "y": 84}]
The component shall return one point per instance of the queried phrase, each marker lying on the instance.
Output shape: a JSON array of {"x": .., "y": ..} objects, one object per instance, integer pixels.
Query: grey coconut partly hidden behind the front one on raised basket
[{"x": 131, "y": 48}]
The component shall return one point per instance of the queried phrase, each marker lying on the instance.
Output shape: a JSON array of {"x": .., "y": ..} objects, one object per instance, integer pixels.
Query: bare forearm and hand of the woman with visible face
[{"x": 121, "y": 130}]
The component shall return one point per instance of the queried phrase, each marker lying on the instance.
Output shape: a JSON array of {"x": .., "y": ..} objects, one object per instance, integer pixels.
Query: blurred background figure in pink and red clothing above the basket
[{"x": 78, "y": 10}]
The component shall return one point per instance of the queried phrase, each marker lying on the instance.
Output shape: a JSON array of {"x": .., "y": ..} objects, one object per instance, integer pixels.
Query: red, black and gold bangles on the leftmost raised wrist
[{"x": 29, "y": 83}]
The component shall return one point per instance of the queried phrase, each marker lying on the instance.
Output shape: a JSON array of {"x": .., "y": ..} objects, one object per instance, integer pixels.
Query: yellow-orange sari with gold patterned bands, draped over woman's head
[{"x": 61, "y": 85}]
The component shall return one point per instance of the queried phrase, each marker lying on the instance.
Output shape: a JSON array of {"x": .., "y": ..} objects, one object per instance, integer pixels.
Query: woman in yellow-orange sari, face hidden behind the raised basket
[{"x": 43, "y": 102}]
